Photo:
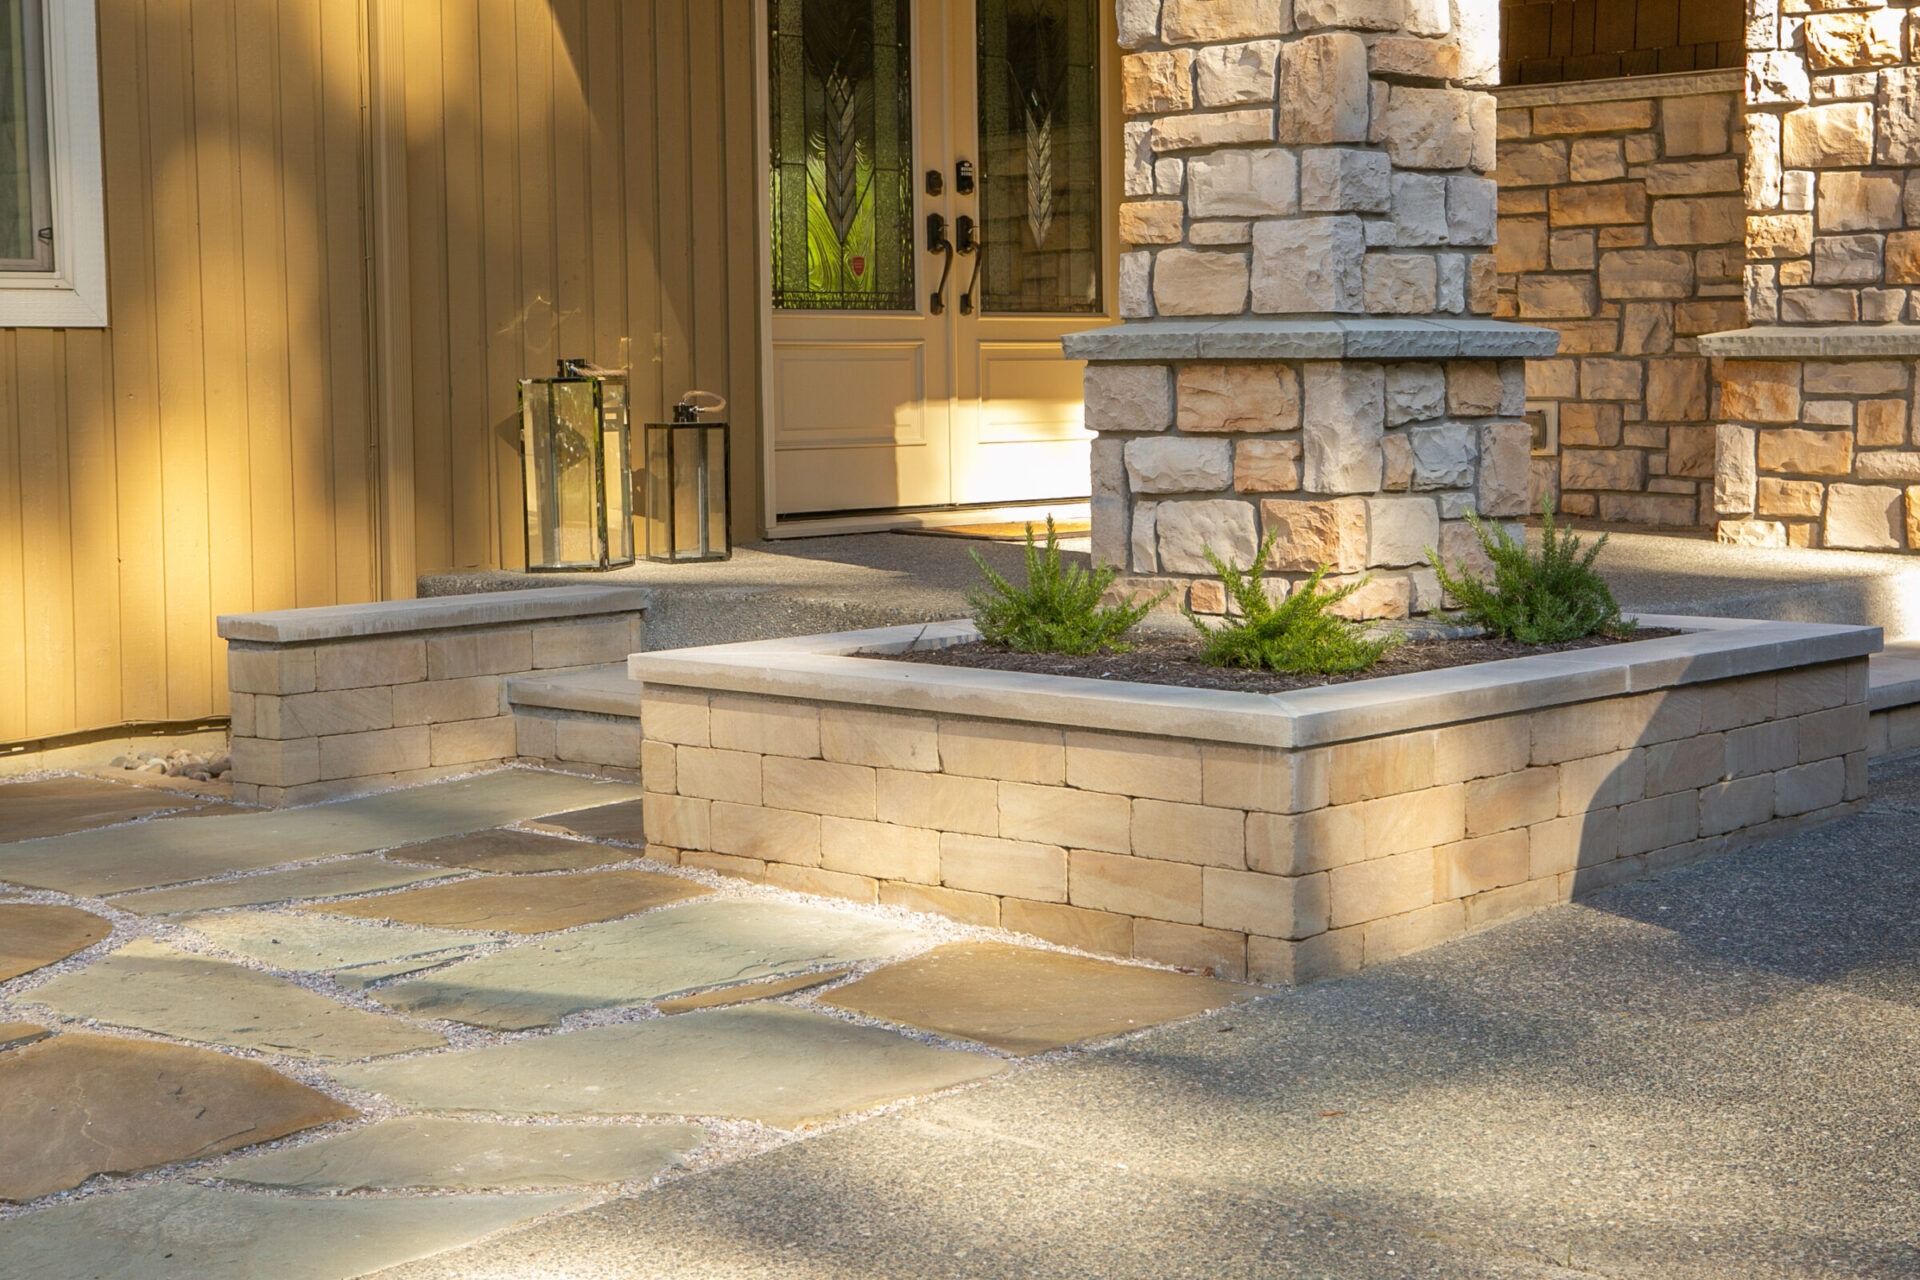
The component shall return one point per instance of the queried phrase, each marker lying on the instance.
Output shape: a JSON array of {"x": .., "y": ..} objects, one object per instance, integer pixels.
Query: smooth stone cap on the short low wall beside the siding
[{"x": 483, "y": 609}]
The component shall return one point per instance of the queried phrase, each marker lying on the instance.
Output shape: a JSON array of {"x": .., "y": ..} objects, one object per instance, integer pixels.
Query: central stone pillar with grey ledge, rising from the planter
[{"x": 1307, "y": 285}]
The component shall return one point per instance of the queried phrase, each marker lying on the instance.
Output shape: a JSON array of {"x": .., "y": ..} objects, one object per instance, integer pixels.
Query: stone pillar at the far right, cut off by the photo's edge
[{"x": 1817, "y": 444}]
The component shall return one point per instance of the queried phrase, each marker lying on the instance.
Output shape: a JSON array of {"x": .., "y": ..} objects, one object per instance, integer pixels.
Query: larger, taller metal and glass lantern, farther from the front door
[{"x": 577, "y": 456}]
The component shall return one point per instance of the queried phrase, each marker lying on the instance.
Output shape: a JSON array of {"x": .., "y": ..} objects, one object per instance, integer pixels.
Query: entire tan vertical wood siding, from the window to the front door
[{"x": 579, "y": 179}]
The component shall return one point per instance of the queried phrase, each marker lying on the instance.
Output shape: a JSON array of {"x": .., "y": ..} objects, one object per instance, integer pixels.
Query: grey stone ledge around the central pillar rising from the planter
[{"x": 1360, "y": 339}]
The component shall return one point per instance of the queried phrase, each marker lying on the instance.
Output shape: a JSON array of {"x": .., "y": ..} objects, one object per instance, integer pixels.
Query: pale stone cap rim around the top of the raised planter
[{"x": 827, "y": 669}]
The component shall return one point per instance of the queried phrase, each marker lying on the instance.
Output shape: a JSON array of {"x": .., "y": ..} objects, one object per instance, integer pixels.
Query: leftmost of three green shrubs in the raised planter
[{"x": 1059, "y": 611}]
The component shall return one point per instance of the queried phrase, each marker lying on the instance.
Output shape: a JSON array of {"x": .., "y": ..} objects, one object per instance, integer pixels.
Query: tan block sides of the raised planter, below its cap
[{"x": 1253, "y": 863}]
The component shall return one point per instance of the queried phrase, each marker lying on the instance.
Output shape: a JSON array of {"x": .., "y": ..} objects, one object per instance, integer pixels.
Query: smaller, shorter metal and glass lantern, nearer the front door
[{"x": 688, "y": 463}]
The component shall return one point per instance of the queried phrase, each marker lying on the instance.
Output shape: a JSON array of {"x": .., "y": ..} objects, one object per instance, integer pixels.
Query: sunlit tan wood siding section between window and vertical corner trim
[{"x": 210, "y": 452}]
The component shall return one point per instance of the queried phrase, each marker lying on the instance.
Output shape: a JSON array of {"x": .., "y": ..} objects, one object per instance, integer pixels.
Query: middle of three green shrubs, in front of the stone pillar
[{"x": 1297, "y": 636}]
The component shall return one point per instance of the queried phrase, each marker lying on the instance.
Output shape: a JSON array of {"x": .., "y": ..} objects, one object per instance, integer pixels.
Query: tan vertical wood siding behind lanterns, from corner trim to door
[{"x": 581, "y": 183}]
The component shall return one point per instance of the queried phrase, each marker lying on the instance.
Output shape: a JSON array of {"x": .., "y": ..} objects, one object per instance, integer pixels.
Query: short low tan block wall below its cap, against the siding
[{"x": 343, "y": 717}]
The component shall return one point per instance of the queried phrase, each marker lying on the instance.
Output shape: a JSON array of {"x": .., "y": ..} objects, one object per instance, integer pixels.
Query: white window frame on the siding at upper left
[{"x": 74, "y": 295}]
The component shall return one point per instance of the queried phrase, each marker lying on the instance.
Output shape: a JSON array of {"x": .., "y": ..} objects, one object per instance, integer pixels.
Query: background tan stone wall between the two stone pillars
[{"x": 1623, "y": 229}]
